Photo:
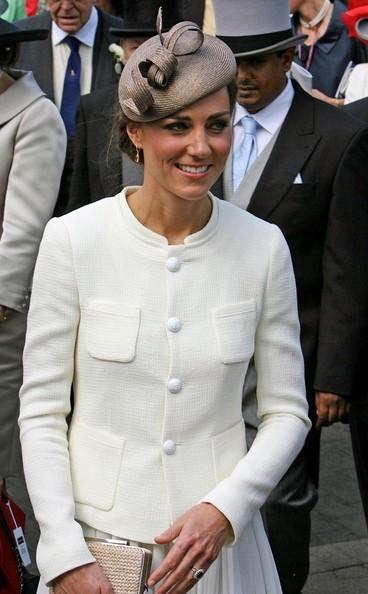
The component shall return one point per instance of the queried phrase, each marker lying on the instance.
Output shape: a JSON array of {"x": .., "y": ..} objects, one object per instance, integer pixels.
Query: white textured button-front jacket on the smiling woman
[{"x": 157, "y": 339}]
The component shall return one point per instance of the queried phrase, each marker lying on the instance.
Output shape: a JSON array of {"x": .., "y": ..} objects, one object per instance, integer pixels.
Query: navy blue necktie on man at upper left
[{"x": 71, "y": 89}]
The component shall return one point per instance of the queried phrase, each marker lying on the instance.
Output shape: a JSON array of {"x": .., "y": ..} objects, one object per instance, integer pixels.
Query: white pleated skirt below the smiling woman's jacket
[{"x": 245, "y": 568}]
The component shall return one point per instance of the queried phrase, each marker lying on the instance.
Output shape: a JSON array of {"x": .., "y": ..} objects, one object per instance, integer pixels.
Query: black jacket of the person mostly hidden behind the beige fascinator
[{"x": 98, "y": 162}]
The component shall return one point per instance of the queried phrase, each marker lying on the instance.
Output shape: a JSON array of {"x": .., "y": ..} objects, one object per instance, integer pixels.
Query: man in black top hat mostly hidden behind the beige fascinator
[{"x": 100, "y": 167}]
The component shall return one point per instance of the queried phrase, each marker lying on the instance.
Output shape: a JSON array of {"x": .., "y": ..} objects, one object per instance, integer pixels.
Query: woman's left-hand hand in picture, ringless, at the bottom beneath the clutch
[{"x": 87, "y": 579}]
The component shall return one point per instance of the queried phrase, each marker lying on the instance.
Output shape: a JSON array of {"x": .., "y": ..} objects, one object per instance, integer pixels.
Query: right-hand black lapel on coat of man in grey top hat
[{"x": 295, "y": 143}]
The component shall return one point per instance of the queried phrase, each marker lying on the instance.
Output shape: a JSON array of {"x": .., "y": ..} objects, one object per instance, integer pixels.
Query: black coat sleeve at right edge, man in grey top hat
[{"x": 344, "y": 306}]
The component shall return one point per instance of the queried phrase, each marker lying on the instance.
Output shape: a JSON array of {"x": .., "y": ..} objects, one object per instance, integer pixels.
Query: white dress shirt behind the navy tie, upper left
[{"x": 61, "y": 53}]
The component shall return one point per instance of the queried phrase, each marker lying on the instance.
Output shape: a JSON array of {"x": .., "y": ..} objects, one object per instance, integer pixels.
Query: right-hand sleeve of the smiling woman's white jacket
[{"x": 282, "y": 406}]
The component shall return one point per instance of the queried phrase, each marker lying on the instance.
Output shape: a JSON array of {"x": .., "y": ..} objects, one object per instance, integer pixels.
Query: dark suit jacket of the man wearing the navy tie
[{"x": 37, "y": 55}]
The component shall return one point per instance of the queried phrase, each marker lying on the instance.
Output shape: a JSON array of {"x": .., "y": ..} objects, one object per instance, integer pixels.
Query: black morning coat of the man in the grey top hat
[{"x": 325, "y": 222}]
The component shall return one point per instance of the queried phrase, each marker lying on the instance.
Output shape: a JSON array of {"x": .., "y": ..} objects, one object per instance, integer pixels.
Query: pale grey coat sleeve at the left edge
[{"x": 33, "y": 185}]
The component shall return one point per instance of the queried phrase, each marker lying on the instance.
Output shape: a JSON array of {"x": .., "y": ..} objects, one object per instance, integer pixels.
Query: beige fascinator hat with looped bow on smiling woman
[{"x": 172, "y": 70}]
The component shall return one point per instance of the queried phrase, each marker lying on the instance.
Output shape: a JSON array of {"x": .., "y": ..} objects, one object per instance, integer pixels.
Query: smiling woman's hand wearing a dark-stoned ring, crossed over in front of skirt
[{"x": 199, "y": 535}]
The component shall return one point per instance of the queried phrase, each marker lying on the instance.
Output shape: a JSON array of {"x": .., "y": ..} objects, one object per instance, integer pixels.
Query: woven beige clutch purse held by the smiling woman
[{"x": 127, "y": 567}]
